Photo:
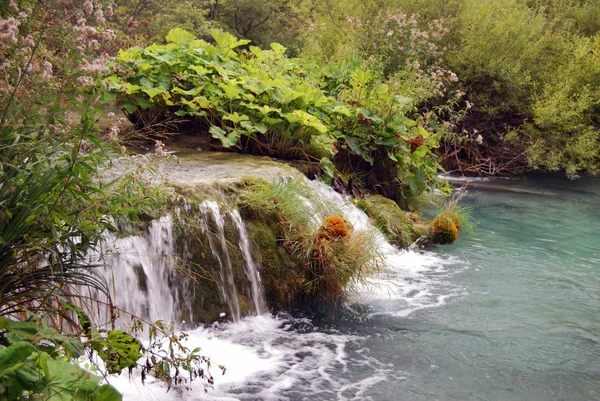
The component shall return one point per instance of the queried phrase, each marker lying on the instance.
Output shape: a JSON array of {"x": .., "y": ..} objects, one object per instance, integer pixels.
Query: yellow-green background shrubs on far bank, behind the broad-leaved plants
[{"x": 489, "y": 76}]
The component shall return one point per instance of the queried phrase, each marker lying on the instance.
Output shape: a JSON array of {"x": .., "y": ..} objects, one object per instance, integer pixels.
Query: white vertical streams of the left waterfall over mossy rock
[{"x": 143, "y": 273}]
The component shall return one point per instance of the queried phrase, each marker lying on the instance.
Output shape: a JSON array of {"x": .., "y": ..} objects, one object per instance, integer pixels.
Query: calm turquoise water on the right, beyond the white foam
[{"x": 525, "y": 324}]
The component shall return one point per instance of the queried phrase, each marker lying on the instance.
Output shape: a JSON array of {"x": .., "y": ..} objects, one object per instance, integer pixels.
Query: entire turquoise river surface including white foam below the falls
[{"x": 512, "y": 313}]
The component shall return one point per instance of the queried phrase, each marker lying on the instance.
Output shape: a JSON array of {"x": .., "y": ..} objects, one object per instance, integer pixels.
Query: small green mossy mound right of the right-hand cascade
[{"x": 389, "y": 219}]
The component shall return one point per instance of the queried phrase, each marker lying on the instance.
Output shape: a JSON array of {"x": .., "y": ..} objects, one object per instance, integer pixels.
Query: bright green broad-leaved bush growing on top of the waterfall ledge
[{"x": 262, "y": 102}]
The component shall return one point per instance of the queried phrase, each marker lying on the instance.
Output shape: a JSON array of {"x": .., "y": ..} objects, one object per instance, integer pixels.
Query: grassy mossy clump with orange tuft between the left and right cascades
[{"x": 328, "y": 259}]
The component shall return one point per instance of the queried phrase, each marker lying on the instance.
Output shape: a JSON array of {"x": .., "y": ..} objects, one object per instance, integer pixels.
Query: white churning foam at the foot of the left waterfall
[{"x": 269, "y": 358}]
